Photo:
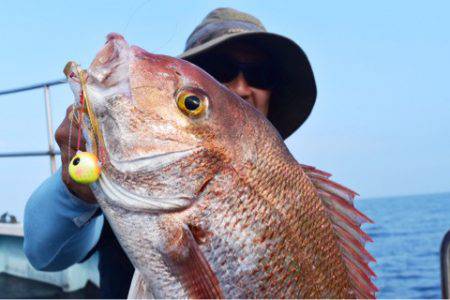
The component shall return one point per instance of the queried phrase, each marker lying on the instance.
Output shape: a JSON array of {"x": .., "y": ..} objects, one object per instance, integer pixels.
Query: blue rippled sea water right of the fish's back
[{"x": 407, "y": 236}]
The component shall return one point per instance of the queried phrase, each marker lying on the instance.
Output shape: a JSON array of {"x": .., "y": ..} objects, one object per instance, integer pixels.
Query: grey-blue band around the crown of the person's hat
[{"x": 214, "y": 30}]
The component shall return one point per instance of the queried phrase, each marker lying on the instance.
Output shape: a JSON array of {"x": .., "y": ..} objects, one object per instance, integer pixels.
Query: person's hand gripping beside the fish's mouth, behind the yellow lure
[{"x": 68, "y": 150}]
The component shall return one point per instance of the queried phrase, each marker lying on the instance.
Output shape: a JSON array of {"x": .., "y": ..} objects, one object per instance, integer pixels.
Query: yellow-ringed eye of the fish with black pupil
[{"x": 192, "y": 102}]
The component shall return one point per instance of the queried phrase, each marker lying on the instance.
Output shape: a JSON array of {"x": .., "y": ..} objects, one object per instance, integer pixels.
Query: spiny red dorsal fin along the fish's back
[{"x": 347, "y": 220}]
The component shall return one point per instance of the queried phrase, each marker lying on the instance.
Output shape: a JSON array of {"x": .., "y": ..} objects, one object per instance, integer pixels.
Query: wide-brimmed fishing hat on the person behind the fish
[{"x": 295, "y": 92}]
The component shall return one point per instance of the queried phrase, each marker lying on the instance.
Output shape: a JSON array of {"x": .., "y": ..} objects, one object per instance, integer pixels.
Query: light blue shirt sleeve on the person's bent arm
[{"x": 59, "y": 228}]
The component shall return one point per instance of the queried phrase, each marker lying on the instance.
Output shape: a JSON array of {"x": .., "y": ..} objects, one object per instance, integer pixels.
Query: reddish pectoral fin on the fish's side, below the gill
[{"x": 187, "y": 262}]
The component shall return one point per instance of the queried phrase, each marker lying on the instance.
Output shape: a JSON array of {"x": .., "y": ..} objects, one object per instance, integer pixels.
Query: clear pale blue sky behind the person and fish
[{"x": 381, "y": 123}]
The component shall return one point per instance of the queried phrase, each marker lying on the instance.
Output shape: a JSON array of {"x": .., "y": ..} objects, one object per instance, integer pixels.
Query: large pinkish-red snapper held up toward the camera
[{"x": 202, "y": 193}]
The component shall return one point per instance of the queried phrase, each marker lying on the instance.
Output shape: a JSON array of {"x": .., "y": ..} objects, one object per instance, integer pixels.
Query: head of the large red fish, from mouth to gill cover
[{"x": 161, "y": 125}]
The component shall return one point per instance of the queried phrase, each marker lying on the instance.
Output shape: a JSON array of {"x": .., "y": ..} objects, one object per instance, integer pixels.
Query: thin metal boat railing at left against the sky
[{"x": 51, "y": 152}]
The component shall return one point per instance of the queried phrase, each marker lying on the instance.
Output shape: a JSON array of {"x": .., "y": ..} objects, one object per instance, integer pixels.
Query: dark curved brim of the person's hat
[{"x": 293, "y": 98}]
